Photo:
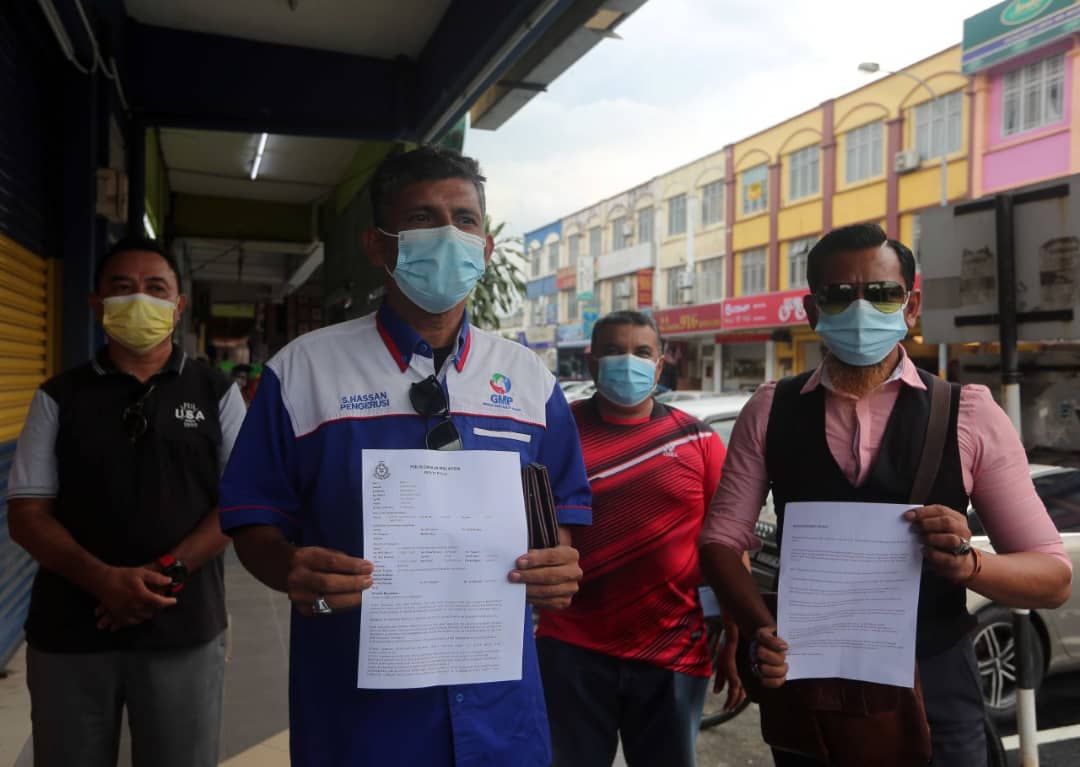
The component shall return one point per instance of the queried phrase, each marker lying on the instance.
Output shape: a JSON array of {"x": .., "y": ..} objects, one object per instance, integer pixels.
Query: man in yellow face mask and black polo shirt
[{"x": 114, "y": 492}]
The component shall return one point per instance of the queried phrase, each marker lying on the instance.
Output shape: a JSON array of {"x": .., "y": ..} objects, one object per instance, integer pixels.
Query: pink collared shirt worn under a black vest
[{"x": 992, "y": 459}]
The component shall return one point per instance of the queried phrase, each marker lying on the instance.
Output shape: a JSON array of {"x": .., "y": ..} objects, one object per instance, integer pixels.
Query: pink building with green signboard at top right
[{"x": 1023, "y": 59}]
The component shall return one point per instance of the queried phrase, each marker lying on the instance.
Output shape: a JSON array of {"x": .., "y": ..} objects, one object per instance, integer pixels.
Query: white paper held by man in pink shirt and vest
[{"x": 849, "y": 593}]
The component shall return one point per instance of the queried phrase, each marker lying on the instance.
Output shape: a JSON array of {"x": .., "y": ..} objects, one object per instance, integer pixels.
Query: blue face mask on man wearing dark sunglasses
[{"x": 861, "y": 335}]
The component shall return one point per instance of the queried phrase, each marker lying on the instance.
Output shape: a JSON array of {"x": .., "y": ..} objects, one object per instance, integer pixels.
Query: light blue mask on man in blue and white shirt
[{"x": 438, "y": 268}]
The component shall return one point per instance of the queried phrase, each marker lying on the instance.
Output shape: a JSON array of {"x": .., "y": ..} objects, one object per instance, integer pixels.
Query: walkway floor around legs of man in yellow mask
[{"x": 255, "y": 719}]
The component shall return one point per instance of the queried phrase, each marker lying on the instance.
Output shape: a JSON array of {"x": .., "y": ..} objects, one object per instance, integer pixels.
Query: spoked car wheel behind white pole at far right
[{"x": 996, "y": 651}]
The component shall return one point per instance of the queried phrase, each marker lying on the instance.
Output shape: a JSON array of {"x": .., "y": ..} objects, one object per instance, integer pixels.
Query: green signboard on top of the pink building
[{"x": 1012, "y": 29}]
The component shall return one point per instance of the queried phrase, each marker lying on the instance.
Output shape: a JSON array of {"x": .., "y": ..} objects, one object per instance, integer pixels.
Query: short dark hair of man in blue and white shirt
[{"x": 425, "y": 164}]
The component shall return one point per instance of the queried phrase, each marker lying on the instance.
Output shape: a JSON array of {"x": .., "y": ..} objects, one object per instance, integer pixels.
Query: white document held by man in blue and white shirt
[{"x": 443, "y": 531}]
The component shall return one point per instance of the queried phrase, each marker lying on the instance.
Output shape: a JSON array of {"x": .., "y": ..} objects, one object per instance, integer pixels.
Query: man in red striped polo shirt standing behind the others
[{"x": 629, "y": 656}]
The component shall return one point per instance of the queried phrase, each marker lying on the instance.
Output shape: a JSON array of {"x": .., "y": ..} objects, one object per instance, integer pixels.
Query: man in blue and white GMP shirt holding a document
[{"x": 415, "y": 374}]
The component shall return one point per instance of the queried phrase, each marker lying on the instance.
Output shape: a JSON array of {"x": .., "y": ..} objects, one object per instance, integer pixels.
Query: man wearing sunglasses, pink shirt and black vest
[{"x": 854, "y": 430}]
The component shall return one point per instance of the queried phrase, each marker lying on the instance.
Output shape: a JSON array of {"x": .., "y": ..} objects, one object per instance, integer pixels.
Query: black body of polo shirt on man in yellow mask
[{"x": 129, "y": 502}]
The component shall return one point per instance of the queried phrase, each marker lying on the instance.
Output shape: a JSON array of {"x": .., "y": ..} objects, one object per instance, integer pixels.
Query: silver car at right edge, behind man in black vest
[{"x": 1058, "y": 650}]
